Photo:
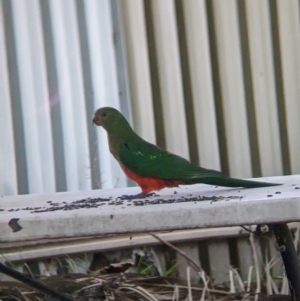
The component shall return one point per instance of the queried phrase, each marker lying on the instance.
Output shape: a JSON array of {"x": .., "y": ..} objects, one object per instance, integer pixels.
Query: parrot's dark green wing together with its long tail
[{"x": 147, "y": 160}]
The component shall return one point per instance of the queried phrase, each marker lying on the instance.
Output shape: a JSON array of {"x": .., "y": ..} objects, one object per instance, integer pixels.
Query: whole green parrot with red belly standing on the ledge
[{"x": 151, "y": 167}]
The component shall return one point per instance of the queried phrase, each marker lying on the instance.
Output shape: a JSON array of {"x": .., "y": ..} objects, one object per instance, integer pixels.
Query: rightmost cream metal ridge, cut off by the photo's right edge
[{"x": 289, "y": 31}]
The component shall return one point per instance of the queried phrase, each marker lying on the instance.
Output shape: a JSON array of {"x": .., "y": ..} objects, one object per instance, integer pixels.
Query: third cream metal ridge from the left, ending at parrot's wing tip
[{"x": 202, "y": 85}]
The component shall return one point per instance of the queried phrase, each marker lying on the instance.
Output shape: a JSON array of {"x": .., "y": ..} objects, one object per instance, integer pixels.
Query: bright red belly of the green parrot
[{"x": 150, "y": 184}]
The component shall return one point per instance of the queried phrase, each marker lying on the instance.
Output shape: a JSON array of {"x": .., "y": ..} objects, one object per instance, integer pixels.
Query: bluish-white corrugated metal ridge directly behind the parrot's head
[{"x": 104, "y": 79}]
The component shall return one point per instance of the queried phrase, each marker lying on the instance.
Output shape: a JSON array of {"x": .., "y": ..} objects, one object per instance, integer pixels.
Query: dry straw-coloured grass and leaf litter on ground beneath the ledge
[{"x": 126, "y": 281}]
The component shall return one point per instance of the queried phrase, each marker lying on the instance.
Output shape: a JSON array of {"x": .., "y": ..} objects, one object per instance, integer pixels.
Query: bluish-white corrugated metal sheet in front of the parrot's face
[{"x": 58, "y": 64}]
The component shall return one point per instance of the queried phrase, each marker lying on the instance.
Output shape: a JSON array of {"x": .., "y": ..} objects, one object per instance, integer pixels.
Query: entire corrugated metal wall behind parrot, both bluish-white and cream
[{"x": 217, "y": 82}]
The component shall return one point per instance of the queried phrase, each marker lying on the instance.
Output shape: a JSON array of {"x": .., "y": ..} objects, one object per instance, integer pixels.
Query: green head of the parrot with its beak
[{"x": 110, "y": 119}]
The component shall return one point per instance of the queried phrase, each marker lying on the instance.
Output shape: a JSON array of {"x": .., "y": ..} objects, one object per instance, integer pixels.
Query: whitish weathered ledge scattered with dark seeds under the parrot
[{"x": 183, "y": 210}]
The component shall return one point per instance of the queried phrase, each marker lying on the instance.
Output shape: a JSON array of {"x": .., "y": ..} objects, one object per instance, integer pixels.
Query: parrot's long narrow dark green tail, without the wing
[{"x": 232, "y": 182}]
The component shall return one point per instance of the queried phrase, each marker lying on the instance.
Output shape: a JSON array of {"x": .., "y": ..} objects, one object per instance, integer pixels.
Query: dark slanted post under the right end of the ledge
[{"x": 289, "y": 257}]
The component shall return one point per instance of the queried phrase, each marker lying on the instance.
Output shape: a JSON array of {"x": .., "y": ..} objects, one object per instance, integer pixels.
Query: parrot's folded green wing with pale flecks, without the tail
[{"x": 147, "y": 160}]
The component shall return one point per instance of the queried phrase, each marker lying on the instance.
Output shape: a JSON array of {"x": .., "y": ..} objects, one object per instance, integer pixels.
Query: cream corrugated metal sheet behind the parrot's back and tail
[{"x": 236, "y": 64}]
